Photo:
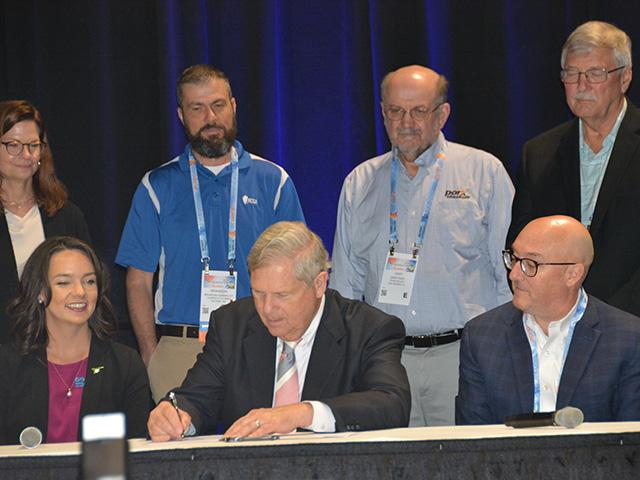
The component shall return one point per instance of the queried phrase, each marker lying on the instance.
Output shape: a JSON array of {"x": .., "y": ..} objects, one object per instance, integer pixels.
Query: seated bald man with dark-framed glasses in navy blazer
[{"x": 554, "y": 345}]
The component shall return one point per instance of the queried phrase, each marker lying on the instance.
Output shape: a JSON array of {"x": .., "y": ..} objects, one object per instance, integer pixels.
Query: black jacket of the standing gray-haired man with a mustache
[{"x": 548, "y": 183}]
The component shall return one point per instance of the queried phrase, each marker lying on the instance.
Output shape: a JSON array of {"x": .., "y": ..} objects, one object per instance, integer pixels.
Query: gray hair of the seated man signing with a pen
[{"x": 290, "y": 240}]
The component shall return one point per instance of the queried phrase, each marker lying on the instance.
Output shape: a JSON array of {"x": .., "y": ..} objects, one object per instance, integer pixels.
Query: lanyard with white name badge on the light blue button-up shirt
[{"x": 400, "y": 269}]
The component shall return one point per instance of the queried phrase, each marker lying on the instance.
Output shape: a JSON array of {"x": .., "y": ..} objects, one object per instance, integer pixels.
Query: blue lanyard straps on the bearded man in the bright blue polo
[{"x": 233, "y": 207}]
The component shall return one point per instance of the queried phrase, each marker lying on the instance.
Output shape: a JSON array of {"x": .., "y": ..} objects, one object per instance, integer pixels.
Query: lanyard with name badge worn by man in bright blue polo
[{"x": 217, "y": 287}]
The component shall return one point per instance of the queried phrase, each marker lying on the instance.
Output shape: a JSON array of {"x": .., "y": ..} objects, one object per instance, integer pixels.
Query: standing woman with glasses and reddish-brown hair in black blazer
[{"x": 33, "y": 200}]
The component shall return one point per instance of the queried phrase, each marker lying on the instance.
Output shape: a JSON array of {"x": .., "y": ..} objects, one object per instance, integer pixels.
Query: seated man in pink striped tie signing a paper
[{"x": 294, "y": 355}]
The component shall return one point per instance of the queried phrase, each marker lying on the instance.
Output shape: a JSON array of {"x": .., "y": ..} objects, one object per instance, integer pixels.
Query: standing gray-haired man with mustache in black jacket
[{"x": 589, "y": 168}]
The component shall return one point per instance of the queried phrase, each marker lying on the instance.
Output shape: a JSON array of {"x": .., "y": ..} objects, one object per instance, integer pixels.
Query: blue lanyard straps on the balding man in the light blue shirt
[{"x": 393, "y": 209}]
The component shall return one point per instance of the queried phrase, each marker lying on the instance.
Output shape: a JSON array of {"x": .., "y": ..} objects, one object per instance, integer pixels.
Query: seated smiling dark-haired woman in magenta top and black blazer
[{"x": 61, "y": 364}]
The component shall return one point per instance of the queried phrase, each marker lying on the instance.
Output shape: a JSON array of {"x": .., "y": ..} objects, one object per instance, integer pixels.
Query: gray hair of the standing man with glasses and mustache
[{"x": 597, "y": 34}]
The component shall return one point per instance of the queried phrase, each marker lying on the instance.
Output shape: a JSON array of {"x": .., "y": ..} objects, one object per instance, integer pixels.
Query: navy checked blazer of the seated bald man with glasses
[{"x": 601, "y": 375}]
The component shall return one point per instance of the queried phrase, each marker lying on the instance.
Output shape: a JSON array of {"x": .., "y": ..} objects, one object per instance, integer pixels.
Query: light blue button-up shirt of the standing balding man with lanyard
[{"x": 460, "y": 272}]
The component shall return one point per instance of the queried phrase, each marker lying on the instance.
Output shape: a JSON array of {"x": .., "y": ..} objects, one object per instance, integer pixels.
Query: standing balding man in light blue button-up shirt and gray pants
[{"x": 419, "y": 234}]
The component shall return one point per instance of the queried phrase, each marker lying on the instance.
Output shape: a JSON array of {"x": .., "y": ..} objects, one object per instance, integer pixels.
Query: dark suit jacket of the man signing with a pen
[{"x": 354, "y": 367}]
